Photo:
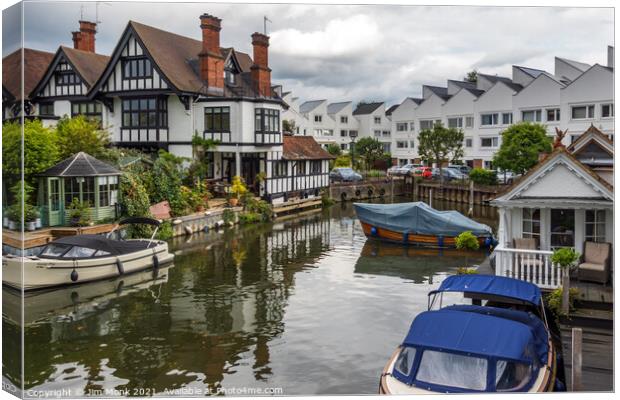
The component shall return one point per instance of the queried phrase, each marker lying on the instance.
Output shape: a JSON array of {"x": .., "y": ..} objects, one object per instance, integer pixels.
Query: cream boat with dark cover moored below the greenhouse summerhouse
[{"x": 84, "y": 258}]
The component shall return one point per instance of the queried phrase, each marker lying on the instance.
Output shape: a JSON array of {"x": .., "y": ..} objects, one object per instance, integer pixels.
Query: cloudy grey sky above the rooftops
[{"x": 347, "y": 52}]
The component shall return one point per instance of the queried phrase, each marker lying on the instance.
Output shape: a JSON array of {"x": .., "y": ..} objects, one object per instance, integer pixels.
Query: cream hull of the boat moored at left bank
[{"x": 31, "y": 273}]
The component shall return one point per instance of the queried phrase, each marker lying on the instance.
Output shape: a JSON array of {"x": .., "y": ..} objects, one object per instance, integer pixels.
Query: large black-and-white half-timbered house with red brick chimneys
[{"x": 157, "y": 90}]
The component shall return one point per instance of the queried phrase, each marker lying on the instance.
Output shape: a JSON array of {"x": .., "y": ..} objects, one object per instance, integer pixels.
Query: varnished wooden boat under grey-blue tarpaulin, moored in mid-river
[{"x": 419, "y": 224}]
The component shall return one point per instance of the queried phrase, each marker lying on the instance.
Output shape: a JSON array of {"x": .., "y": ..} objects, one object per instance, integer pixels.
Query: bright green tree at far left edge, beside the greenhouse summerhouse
[{"x": 40, "y": 151}]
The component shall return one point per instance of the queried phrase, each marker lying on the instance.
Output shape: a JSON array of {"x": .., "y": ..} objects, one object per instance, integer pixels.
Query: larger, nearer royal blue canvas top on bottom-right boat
[{"x": 473, "y": 333}]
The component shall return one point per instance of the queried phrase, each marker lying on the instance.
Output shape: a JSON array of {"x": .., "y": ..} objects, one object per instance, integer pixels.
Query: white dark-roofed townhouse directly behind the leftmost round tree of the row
[{"x": 373, "y": 122}]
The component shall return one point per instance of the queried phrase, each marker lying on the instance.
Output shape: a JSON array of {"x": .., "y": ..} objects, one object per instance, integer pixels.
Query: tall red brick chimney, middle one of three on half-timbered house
[{"x": 211, "y": 60}]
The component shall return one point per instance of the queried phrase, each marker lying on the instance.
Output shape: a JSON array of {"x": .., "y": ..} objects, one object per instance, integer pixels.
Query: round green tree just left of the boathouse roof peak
[{"x": 521, "y": 145}]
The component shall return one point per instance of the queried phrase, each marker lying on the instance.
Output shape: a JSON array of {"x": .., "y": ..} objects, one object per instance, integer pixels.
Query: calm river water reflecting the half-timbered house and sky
[{"x": 304, "y": 306}]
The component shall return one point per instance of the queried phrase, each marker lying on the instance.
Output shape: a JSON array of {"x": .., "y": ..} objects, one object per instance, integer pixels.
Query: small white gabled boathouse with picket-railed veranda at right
[{"x": 564, "y": 201}]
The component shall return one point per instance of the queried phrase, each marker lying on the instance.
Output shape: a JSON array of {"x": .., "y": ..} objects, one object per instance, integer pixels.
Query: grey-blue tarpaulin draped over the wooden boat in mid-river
[{"x": 419, "y": 218}]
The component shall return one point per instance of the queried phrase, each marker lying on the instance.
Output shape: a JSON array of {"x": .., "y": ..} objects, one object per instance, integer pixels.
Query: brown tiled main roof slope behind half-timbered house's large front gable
[{"x": 177, "y": 57}]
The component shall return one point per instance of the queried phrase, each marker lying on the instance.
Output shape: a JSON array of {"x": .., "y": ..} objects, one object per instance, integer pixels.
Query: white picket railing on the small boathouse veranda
[{"x": 533, "y": 266}]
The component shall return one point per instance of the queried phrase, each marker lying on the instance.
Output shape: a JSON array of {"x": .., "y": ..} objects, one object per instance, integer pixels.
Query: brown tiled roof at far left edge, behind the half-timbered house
[{"x": 35, "y": 64}]
